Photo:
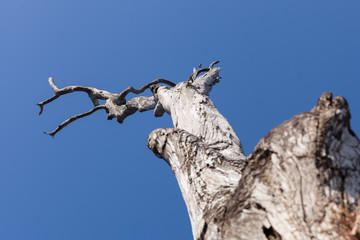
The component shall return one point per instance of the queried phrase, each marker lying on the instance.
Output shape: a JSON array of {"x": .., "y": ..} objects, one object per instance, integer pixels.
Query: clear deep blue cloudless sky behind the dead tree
[{"x": 97, "y": 179}]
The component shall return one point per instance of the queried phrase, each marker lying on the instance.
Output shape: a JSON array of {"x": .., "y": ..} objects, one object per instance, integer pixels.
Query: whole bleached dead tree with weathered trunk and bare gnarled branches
[{"x": 301, "y": 182}]
